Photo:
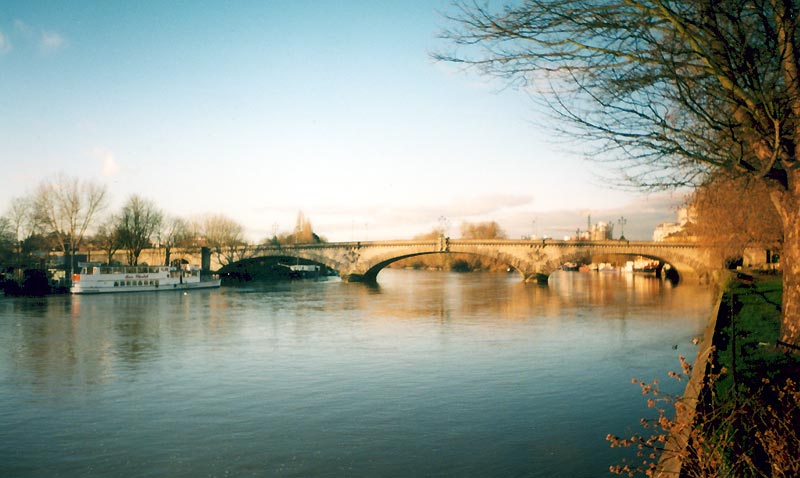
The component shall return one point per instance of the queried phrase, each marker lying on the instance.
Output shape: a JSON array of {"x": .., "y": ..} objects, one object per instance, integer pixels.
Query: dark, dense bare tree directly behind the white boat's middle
[{"x": 139, "y": 220}]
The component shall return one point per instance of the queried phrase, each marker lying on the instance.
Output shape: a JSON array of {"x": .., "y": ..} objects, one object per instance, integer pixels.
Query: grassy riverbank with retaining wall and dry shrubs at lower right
[{"x": 740, "y": 419}]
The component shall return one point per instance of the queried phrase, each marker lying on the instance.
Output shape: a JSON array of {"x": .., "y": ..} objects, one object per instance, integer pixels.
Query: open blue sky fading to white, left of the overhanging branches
[{"x": 259, "y": 109}]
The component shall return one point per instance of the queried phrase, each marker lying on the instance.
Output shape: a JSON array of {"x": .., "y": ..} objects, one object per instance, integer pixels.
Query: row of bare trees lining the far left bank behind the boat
[{"x": 69, "y": 214}]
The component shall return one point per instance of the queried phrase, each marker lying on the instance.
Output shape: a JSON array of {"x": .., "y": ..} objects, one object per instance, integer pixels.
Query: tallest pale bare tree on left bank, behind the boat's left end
[{"x": 66, "y": 207}]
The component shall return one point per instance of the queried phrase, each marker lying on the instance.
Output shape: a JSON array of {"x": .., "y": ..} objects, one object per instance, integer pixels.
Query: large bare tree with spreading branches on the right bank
[{"x": 672, "y": 89}]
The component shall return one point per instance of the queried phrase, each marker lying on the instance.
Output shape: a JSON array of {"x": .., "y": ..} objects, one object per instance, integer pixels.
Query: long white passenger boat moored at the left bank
[{"x": 98, "y": 279}]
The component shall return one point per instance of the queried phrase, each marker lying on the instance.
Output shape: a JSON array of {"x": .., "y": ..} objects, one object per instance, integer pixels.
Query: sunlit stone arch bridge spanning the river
[{"x": 534, "y": 260}]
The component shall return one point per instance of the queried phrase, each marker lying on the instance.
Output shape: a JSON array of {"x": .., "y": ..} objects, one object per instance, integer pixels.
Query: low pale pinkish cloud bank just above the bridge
[{"x": 515, "y": 213}]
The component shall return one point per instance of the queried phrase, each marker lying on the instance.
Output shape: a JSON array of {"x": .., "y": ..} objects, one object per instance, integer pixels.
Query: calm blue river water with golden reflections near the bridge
[{"x": 427, "y": 374}]
